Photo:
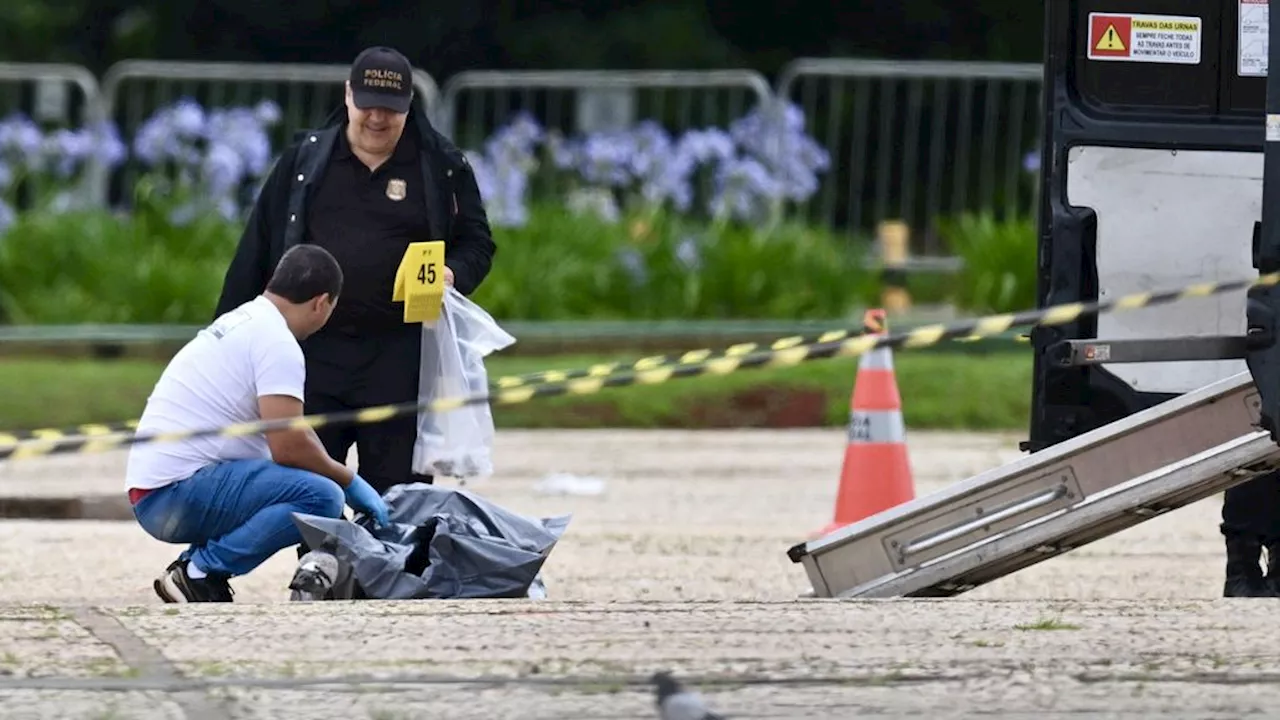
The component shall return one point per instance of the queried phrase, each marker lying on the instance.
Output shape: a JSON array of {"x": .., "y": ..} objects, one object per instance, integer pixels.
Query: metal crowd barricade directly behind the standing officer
[{"x": 307, "y": 94}]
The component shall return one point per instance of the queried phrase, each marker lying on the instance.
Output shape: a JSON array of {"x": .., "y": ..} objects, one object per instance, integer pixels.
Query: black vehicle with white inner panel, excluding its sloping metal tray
[{"x": 1153, "y": 179}]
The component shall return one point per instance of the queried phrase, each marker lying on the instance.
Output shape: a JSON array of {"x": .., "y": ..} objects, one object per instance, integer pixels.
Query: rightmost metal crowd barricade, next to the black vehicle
[{"x": 916, "y": 142}]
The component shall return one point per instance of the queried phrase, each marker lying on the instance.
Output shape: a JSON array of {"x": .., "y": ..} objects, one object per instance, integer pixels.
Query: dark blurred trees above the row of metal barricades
[{"x": 449, "y": 38}]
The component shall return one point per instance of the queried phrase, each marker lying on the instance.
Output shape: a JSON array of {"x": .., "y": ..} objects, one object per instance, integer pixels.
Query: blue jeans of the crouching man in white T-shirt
[{"x": 237, "y": 514}]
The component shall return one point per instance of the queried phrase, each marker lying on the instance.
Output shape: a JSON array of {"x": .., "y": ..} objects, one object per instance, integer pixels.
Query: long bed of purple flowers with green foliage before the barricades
[{"x": 730, "y": 254}]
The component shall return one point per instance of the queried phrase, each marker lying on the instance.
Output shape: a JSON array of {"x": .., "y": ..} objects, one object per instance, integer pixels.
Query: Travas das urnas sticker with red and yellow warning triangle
[{"x": 1145, "y": 39}]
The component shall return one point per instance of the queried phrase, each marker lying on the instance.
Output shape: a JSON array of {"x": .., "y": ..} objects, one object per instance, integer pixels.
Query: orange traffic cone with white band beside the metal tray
[{"x": 876, "y": 475}]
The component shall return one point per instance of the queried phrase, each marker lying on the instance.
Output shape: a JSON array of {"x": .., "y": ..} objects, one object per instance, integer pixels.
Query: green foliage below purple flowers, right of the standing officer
[{"x": 566, "y": 266}]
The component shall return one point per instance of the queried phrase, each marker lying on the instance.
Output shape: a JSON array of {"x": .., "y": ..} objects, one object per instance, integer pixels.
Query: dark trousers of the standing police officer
[{"x": 349, "y": 372}]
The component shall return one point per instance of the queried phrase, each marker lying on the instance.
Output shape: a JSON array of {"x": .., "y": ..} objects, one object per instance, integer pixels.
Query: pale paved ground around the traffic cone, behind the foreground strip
[{"x": 684, "y": 517}]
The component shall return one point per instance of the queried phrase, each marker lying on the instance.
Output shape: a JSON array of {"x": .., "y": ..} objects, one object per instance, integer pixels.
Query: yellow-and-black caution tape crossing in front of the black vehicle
[{"x": 824, "y": 349}]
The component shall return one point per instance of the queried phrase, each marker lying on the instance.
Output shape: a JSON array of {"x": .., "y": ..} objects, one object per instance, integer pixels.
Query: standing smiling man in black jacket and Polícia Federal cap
[{"x": 373, "y": 180}]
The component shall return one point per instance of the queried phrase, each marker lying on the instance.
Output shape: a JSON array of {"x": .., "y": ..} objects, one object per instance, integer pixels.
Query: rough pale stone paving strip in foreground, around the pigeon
[{"x": 870, "y": 659}]
